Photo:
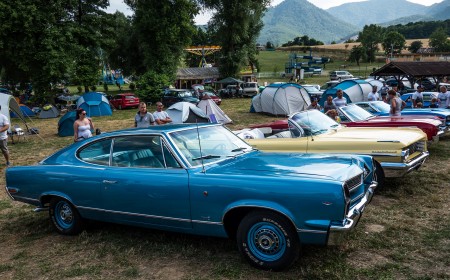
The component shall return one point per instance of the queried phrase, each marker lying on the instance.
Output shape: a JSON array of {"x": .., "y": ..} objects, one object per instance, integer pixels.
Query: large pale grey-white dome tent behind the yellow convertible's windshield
[{"x": 281, "y": 99}]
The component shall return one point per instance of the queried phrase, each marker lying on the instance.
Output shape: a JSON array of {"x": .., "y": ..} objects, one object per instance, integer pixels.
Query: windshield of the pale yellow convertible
[{"x": 314, "y": 122}]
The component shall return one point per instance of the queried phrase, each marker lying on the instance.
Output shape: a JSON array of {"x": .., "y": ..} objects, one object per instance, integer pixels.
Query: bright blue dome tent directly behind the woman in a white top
[{"x": 95, "y": 104}]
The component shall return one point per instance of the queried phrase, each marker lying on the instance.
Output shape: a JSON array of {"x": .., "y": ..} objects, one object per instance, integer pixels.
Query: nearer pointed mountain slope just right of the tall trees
[{"x": 295, "y": 18}]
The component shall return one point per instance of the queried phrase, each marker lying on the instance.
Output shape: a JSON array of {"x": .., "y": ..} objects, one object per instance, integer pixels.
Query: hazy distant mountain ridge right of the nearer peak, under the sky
[{"x": 376, "y": 11}]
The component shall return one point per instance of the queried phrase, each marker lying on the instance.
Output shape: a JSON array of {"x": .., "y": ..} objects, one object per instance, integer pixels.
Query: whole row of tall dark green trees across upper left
[{"x": 69, "y": 41}]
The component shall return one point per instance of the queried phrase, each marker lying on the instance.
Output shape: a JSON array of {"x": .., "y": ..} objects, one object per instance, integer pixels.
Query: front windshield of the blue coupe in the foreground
[{"x": 208, "y": 144}]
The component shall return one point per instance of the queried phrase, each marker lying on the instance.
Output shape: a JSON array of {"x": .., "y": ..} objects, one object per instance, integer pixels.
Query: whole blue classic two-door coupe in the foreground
[{"x": 201, "y": 180}]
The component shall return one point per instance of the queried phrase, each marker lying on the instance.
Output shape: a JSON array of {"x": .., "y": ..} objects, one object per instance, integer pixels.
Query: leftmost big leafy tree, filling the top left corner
[{"x": 47, "y": 44}]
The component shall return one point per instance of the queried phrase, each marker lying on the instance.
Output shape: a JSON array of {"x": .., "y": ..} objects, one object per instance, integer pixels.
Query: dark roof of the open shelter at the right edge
[{"x": 425, "y": 69}]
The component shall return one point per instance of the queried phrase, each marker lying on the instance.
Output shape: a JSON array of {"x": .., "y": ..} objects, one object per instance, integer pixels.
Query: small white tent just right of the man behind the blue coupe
[{"x": 186, "y": 112}]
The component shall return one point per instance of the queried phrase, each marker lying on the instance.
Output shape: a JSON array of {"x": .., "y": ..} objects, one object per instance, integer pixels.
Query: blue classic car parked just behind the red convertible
[{"x": 380, "y": 108}]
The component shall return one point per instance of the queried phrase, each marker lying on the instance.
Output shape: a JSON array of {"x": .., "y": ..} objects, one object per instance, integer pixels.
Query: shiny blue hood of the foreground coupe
[{"x": 330, "y": 167}]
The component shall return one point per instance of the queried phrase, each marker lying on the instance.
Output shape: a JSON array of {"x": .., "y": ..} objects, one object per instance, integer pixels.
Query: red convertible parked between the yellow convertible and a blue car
[{"x": 354, "y": 116}]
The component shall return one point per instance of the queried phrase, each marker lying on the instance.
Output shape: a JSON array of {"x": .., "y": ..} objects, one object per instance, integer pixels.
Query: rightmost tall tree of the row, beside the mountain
[{"x": 237, "y": 24}]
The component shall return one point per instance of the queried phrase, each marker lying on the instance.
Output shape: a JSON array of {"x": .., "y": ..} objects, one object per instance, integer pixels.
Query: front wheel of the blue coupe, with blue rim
[{"x": 268, "y": 240}]
